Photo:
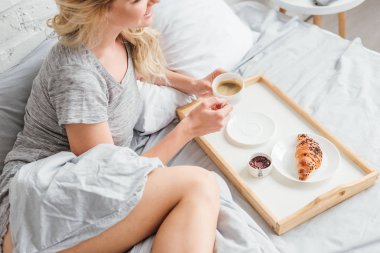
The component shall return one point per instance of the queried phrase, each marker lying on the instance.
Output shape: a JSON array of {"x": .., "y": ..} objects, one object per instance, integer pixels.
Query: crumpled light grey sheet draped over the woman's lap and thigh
[{"x": 61, "y": 200}]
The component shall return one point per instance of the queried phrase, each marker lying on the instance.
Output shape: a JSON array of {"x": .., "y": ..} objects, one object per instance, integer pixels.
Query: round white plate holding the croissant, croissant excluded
[{"x": 284, "y": 161}]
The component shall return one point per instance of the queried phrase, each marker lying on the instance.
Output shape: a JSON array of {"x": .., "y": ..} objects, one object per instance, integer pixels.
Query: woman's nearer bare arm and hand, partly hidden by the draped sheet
[{"x": 205, "y": 118}]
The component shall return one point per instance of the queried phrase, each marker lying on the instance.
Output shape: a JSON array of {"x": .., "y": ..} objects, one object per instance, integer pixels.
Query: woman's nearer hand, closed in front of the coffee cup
[{"x": 209, "y": 116}]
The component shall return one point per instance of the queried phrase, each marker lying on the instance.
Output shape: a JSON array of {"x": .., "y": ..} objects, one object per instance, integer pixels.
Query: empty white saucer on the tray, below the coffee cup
[{"x": 250, "y": 128}]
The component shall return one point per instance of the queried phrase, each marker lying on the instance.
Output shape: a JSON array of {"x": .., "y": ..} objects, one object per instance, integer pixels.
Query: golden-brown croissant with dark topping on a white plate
[{"x": 308, "y": 156}]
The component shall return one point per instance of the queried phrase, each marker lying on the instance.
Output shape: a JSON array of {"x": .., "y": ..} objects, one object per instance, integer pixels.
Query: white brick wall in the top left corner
[{"x": 22, "y": 28}]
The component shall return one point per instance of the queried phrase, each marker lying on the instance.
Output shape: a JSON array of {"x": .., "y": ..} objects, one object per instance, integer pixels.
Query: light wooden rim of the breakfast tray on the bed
[{"x": 315, "y": 207}]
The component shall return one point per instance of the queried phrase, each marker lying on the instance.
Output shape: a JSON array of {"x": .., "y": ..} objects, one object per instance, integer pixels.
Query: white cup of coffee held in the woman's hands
[{"x": 223, "y": 89}]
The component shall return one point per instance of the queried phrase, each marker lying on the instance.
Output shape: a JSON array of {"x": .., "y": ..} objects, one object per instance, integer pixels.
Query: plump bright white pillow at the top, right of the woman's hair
[{"x": 198, "y": 36}]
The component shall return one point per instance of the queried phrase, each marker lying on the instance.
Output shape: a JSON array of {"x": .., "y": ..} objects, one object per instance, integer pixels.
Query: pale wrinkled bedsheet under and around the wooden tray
[{"x": 338, "y": 82}]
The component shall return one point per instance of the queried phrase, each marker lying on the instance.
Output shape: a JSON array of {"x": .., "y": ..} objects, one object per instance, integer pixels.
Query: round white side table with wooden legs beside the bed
[{"x": 308, "y": 7}]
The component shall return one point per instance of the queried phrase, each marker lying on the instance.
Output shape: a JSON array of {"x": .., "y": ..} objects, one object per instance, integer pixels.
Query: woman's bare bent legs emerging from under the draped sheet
[{"x": 181, "y": 204}]
